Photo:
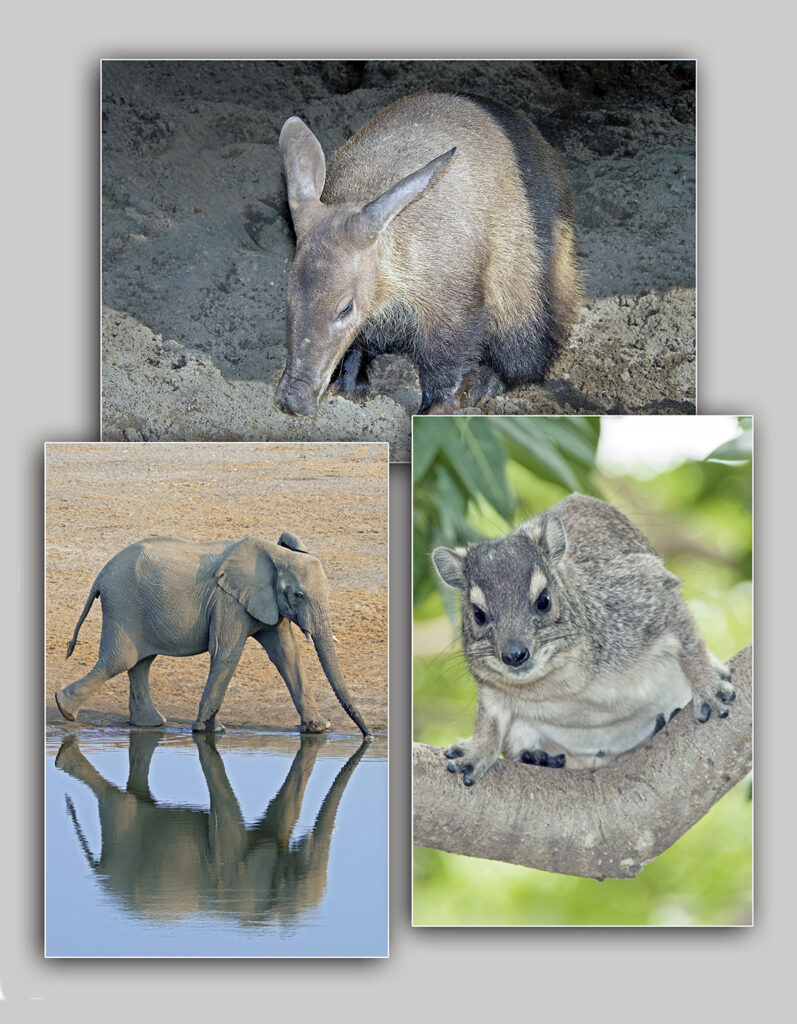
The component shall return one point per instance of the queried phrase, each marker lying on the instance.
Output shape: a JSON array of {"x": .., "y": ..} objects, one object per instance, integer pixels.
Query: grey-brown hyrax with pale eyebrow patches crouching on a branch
[{"x": 579, "y": 639}]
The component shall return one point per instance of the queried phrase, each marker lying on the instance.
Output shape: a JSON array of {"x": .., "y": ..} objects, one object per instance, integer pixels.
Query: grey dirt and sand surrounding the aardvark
[{"x": 198, "y": 238}]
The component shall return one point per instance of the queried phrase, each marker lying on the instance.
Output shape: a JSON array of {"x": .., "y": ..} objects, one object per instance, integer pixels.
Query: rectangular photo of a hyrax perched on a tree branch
[{"x": 582, "y": 671}]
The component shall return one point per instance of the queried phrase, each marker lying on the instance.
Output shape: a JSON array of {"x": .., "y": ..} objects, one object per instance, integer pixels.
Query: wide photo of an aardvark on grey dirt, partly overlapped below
[{"x": 318, "y": 250}]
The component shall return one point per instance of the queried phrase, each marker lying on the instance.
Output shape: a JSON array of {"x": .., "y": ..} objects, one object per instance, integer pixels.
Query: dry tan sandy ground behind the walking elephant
[{"x": 334, "y": 498}]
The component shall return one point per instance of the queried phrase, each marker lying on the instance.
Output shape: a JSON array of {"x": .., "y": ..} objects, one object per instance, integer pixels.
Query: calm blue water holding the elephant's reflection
[{"x": 159, "y": 844}]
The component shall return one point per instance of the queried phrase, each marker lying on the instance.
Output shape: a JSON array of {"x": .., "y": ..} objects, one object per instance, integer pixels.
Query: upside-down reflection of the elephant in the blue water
[{"x": 163, "y": 862}]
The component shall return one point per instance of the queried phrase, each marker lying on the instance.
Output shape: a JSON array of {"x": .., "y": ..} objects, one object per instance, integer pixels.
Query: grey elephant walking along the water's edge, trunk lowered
[{"x": 164, "y": 596}]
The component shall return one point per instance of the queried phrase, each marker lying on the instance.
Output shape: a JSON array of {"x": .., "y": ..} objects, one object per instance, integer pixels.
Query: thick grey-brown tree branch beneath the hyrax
[{"x": 598, "y": 823}]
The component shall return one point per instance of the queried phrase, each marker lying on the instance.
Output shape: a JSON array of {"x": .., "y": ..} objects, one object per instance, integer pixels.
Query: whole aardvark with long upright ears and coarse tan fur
[{"x": 444, "y": 229}]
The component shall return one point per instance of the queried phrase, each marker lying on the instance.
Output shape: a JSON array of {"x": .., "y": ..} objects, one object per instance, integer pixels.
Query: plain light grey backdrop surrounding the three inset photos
[{"x": 746, "y": 162}]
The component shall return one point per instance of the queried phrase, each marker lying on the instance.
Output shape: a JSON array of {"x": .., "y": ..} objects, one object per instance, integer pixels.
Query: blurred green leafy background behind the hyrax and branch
[{"x": 482, "y": 477}]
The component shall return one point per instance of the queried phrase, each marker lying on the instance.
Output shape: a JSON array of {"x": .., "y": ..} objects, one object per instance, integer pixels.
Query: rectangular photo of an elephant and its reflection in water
[{"x": 187, "y": 584}]
